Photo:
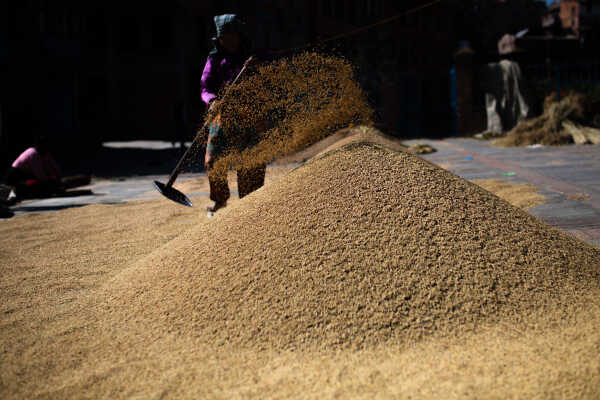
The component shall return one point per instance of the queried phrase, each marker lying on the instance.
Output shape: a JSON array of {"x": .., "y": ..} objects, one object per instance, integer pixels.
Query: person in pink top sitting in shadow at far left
[{"x": 36, "y": 174}]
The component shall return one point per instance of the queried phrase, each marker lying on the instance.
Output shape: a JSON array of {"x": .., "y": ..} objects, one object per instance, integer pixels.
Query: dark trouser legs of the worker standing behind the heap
[{"x": 248, "y": 181}]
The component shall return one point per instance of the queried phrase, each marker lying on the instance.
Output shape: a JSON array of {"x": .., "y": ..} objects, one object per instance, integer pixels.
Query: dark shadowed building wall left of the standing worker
[{"x": 87, "y": 72}]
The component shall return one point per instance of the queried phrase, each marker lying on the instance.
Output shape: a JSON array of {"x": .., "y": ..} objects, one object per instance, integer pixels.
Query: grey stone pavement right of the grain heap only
[{"x": 569, "y": 176}]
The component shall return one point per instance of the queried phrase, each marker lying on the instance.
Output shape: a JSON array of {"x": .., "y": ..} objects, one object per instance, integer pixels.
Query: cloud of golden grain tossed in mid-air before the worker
[{"x": 301, "y": 100}]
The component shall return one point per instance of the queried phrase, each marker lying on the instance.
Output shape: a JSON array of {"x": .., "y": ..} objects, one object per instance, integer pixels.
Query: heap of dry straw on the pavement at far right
[{"x": 555, "y": 126}]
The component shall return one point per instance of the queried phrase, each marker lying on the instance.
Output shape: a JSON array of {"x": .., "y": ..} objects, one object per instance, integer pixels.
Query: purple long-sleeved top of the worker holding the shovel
[{"x": 219, "y": 71}]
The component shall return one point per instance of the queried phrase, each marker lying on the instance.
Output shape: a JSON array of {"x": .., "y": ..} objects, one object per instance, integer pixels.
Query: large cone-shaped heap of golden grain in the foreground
[{"x": 358, "y": 247}]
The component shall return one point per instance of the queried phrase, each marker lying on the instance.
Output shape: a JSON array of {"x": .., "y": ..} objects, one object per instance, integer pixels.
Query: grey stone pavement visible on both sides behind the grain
[{"x": 569, "y": 176}]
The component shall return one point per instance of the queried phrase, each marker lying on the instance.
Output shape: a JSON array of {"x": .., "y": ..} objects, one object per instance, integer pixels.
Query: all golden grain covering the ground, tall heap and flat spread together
[{"x": 365, "y": 272}]
